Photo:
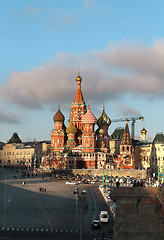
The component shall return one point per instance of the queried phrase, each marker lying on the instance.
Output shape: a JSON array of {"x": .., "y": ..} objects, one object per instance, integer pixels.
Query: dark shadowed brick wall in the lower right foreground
[{"x": 139, "y": 213}]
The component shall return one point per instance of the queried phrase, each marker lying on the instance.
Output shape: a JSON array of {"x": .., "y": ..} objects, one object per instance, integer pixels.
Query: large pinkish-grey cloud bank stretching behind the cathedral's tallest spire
[{"x": 106, "y": 74}]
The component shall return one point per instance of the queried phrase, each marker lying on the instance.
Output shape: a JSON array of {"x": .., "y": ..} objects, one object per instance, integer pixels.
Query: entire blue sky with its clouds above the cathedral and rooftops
[{"x": 118, "y": 46}]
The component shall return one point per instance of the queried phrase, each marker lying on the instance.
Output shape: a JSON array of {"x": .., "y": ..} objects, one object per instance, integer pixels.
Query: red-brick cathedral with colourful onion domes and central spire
[{"x": 79, "y": 145}]
